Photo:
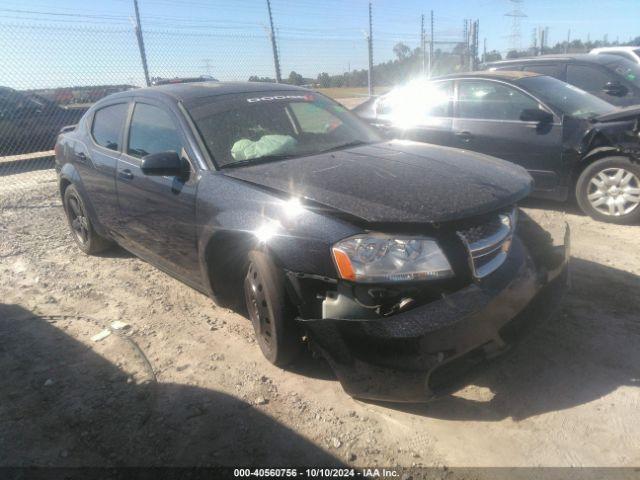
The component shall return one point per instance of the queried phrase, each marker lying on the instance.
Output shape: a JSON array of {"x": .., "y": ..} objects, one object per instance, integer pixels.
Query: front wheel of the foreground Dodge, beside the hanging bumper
[{"x": 270, "y": 312}]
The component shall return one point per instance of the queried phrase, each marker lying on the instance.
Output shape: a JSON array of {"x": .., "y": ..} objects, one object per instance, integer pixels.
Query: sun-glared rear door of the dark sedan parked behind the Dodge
[{"x": 420, "y": 113}]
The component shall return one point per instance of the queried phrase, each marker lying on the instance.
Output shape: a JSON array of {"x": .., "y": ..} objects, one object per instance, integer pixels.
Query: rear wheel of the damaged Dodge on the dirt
[{"x": 80, "y": 224}]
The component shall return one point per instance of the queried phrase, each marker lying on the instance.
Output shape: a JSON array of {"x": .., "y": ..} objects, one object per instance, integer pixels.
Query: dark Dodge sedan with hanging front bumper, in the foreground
[{"x": 394, "y": 259}]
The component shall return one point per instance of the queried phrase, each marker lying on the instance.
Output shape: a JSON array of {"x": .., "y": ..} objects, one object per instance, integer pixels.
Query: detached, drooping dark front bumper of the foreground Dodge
[{"x": 415, "y": 355}]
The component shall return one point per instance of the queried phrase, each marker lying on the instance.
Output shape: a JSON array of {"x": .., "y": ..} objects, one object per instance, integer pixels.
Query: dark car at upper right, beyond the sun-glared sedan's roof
[{"x": 609, "y": 77}]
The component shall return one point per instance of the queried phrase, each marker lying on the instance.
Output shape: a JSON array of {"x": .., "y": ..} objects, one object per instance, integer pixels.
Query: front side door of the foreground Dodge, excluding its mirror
[{"x": 157, "y": 213}]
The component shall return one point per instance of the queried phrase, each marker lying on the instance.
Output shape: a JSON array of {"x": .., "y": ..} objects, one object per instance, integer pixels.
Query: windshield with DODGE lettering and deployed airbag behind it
[{"x": 249, "y": 128}]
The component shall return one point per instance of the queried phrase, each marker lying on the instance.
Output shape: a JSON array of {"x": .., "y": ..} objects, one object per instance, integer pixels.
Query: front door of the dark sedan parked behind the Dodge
[{"x": 487, "y": 120}]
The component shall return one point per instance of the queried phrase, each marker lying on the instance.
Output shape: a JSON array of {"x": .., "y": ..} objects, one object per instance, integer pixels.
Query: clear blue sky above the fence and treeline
[{"x": 79, "y": 42}]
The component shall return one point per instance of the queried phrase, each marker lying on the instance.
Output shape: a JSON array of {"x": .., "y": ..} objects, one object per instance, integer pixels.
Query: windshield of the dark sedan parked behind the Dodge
[{"x": 569, "y": 99}]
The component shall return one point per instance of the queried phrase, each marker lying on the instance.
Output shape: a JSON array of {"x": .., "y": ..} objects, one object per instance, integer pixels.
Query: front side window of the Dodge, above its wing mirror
[{"x": 152, "y": 131}]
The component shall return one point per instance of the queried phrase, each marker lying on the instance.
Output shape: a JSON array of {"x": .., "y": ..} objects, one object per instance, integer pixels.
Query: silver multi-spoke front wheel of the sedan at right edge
[{"x": 608, "y": 190}]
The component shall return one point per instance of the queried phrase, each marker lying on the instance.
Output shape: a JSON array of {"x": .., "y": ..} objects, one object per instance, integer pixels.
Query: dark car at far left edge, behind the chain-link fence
[{"x": 30, "y": 123}]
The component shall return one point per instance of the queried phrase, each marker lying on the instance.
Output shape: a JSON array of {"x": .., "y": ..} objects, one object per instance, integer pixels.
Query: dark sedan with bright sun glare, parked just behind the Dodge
[{"x": 571, "y": 142}]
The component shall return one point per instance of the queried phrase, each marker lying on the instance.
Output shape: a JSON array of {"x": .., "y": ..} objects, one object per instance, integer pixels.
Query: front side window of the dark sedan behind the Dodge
[{"x": 491, "y": 101}]
